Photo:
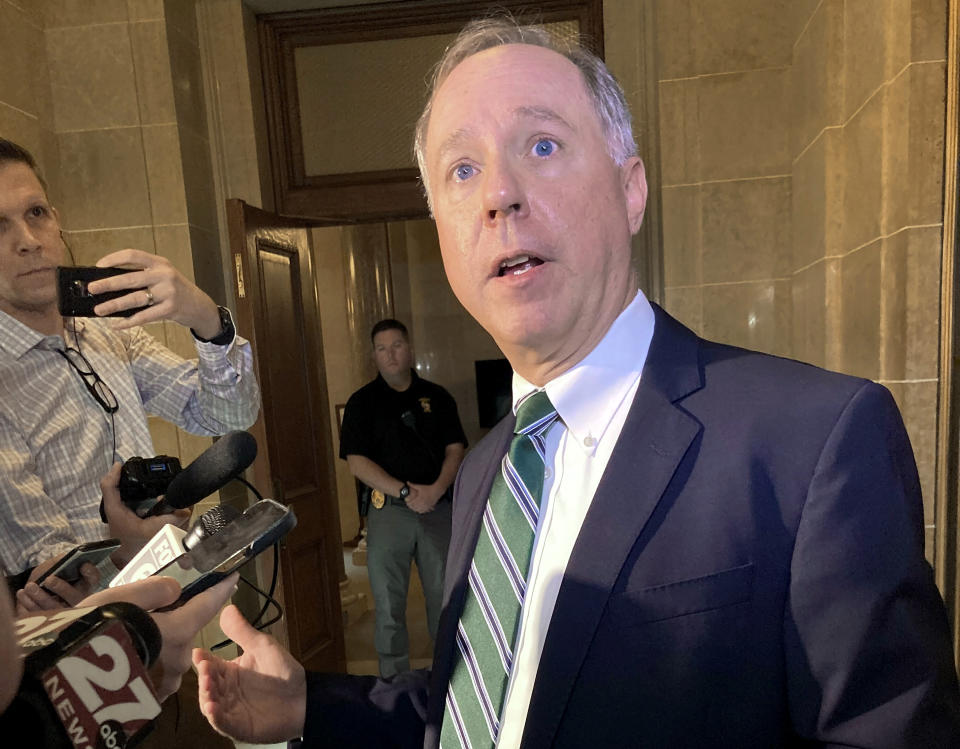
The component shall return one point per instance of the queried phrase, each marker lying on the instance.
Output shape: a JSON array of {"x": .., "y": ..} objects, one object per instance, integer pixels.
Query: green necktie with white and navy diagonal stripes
[{"x": 487, "y": 631}]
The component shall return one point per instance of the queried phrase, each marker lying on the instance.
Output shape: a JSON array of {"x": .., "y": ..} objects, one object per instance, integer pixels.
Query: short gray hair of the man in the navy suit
[{"x": 487, "y": 33}]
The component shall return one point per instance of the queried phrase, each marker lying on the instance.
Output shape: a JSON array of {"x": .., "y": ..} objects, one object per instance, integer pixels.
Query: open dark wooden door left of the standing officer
[{"x": 277, "y": 311}]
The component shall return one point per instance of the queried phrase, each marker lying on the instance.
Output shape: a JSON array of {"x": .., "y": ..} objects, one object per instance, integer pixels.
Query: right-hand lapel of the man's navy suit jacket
[{"x": 654, "y": 439}]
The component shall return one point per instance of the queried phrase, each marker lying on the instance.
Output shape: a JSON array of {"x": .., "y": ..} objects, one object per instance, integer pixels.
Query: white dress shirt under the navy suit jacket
[{"x": 592, "y": 400}]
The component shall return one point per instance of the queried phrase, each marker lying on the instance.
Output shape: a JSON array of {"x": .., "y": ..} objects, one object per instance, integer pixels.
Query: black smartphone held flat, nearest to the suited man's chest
[{"x": 263, "y": 524}]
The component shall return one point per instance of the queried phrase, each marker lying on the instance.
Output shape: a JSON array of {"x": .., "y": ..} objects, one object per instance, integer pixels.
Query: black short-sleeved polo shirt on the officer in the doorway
[{"x": 405, "y": 433}]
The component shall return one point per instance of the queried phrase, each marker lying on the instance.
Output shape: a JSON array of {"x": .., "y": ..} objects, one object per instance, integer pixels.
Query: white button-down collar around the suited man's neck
[{"x": 588, "y": 394}]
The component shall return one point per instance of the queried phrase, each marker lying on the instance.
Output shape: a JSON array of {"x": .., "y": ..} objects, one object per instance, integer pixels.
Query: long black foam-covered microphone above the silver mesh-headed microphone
[{"x": 219, "y": 464}]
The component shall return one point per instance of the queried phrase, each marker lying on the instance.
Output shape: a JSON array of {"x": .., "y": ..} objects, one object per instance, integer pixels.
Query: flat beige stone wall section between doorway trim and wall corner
[{"x": 724, "y": 70}]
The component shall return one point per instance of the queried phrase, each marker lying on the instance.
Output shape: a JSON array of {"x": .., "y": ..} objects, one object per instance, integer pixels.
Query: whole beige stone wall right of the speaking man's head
[{"x": 802, "y": 157}]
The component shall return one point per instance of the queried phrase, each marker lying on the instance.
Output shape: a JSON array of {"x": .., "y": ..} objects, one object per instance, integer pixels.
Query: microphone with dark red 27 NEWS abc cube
[{"x": 85, "y": 678}]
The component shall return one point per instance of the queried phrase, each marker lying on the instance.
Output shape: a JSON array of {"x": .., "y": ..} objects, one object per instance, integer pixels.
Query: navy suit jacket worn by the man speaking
[{"x": 750, "y": 573}]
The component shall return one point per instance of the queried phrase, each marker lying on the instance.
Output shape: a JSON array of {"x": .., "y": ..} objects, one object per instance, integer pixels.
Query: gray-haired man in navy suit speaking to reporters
[{"x": 729, "y": 548}]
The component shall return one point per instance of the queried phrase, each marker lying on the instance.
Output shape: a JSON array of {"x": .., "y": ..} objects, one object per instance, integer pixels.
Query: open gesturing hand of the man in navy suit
[{"x": 260, "y": 697}]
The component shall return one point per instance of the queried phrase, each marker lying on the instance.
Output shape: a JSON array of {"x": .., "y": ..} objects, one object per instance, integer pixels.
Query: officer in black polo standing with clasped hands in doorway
[{"x": 402, "y": 437}]
